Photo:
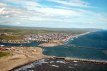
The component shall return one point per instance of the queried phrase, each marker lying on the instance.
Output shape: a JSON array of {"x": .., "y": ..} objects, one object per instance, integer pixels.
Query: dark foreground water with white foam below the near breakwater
[{"x": 60, "y": 64}]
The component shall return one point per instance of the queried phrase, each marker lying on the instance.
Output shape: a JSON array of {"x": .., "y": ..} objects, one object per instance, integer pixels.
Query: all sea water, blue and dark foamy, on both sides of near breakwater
[{"x": 91, "y": 46}]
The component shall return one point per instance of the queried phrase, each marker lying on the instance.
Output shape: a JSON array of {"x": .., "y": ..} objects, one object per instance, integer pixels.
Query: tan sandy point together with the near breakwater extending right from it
[{"x": 19, "y": 59}]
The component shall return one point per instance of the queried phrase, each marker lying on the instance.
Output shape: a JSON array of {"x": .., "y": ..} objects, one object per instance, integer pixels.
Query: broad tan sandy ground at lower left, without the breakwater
[{"x": 20, "y": 56}]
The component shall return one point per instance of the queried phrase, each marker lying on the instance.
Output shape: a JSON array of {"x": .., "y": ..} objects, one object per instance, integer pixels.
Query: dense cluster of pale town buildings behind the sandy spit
[{"x": 48, "y": 37}]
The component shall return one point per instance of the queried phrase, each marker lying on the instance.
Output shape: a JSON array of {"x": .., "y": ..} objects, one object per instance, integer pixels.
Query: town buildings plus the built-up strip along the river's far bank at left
[{"x": 45, "y": 37}]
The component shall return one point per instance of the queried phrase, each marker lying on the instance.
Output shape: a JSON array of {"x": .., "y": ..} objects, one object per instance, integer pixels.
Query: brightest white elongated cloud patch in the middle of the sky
[{"x": 57, "y": 12}]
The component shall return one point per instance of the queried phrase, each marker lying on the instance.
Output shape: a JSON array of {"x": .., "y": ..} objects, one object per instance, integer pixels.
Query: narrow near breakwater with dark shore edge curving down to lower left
[{"x": 65, "y": 58}]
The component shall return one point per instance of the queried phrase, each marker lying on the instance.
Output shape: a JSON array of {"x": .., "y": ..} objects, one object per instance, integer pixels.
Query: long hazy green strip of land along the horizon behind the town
[{"x": 23, "y": 31}]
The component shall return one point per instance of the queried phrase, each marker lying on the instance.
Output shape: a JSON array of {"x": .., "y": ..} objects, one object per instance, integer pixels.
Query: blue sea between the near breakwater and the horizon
[{"x": 89, "y": 46}]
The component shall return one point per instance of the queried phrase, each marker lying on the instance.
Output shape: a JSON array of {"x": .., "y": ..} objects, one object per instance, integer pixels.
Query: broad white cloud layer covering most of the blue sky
[{"x": 20, "y": 12}]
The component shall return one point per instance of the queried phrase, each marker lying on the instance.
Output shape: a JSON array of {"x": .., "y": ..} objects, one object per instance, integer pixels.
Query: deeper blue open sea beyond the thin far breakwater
[{"x": 93, "y": 40}]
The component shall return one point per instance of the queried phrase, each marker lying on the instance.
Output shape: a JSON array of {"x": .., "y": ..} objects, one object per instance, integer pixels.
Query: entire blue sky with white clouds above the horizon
[{"x": 54, "y": 13}]
